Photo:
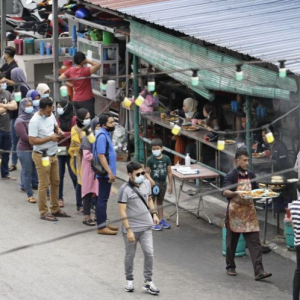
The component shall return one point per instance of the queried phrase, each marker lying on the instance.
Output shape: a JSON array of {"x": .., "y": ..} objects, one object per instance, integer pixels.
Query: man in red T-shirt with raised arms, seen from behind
[{"x": 83, "y": 96}]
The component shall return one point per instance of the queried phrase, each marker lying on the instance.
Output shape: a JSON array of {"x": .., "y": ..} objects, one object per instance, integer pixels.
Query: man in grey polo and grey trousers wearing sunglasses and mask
[{"x": 136, "y": 206}]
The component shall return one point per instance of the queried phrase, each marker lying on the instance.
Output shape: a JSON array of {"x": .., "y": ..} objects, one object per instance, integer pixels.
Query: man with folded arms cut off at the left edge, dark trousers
[{"x": 7, "y": 104}]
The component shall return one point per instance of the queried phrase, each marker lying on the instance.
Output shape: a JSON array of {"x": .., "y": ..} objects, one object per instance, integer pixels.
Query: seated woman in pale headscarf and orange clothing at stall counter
[{"x": 189, "y": 112}]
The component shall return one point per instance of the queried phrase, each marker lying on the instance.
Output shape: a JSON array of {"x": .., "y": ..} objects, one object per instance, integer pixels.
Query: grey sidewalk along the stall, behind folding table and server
[{"x": 215, "y": 207}]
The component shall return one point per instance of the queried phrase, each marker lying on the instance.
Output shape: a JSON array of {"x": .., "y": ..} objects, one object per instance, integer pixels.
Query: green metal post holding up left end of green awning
[{"x": 136, "y": 109}]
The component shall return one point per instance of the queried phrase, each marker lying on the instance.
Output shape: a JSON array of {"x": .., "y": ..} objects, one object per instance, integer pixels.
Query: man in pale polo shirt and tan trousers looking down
[{"x": 43, "y": 133}]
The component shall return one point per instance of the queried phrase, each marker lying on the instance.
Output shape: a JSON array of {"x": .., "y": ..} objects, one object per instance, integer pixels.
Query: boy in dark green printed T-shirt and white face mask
[{"x": 158, "y": 167}]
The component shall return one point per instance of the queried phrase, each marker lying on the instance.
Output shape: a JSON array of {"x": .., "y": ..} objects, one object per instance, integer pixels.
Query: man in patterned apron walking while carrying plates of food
[{"x": 241, "y": 216}]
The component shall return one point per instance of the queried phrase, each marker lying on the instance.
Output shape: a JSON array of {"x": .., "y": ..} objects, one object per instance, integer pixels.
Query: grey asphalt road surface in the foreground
[{"x": 188, "y": 259}]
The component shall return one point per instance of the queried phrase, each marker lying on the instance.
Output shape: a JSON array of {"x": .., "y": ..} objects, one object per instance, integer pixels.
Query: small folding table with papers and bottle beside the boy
[{"x": 203, "y": 174}]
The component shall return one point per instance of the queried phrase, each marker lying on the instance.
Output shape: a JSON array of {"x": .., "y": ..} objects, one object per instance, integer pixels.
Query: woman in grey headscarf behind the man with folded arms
[{"x": 17, "y": 78}]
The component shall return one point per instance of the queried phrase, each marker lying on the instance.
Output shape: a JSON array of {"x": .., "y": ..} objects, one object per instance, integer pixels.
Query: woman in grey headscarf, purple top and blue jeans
[{"x": 29, "y": 177}]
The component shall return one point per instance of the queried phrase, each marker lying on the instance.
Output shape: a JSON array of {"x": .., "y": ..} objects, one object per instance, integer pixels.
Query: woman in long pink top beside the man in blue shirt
[{"x": 90, "y": 186}]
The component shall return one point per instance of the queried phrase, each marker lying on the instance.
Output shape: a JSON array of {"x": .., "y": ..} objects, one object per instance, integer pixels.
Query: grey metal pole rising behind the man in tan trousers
[{"x": 55, "y": 51}]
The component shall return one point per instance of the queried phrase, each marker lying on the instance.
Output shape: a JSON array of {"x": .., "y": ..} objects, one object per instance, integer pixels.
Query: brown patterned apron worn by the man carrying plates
[{"x": 242, "y": 218}]
